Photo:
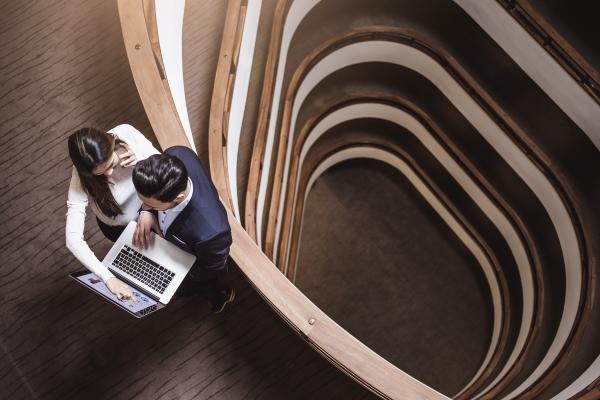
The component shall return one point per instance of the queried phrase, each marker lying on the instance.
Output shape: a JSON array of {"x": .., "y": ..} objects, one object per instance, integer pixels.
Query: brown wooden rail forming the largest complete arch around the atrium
[{"x": 497, "y": 115}]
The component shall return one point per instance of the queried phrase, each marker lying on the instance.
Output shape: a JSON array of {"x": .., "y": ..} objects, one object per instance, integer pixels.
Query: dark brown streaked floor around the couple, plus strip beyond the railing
[{"x": 63, "y": 66}]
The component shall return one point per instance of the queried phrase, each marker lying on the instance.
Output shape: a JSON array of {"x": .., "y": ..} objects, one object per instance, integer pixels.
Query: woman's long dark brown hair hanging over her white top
[{"x": 88, "y": 148}]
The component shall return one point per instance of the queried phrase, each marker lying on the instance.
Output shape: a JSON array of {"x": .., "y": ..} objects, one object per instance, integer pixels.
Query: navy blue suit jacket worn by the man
[{"x": 202, "y": 227}]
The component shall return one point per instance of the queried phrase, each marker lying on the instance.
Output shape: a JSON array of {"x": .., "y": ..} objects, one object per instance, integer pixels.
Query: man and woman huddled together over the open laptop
[{"x": 176, "y": 199}]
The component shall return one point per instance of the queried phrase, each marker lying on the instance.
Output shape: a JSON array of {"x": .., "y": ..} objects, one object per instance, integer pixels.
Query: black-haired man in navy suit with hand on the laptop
[{"x": 176, "y": 190}]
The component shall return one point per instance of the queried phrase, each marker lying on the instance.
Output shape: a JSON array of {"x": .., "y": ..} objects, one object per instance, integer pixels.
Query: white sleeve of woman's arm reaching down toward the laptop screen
[{"x": 76, "y": 204}]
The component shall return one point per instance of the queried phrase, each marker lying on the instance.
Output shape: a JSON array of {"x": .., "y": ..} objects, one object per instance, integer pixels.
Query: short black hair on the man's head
[{"x": 161, "y": 177}]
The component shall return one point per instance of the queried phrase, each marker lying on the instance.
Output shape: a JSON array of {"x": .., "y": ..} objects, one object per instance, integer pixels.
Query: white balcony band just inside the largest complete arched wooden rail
[{"x": 401, "y": 54}]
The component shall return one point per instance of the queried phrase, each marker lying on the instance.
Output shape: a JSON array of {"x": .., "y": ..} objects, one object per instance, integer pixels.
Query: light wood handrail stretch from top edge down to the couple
[{"x": 155, "y": 97}]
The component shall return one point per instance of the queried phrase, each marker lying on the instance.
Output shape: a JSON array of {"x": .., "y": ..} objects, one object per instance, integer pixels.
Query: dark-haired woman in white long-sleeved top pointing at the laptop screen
[{"x": 102, "y": 165}]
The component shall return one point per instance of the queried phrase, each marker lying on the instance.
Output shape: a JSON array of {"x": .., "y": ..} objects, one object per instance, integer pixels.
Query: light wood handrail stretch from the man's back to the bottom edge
[{"x": 332, "y": 341}]
